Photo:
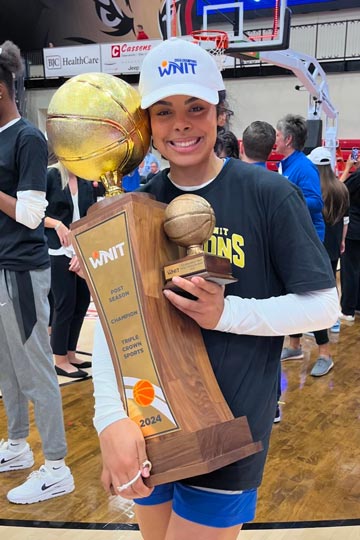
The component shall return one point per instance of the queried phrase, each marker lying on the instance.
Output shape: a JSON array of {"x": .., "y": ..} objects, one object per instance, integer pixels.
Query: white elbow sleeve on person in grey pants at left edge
[{"x": 30, "y": 208}]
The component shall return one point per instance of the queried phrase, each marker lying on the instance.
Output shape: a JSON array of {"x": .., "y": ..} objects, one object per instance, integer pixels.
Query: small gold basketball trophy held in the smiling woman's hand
[{"x": 189, "y": 222}]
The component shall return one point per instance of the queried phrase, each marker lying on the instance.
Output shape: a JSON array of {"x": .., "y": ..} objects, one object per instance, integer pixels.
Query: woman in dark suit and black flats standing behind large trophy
[{"x": 69, "y": 199}]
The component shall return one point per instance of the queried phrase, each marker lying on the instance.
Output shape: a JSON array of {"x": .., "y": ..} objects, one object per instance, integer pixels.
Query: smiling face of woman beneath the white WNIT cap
[{"x": 184, "y": 132}]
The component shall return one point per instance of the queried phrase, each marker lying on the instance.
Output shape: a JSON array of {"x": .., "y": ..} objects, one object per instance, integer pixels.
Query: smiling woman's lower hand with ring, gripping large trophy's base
[{"x": 124, "y": 453}]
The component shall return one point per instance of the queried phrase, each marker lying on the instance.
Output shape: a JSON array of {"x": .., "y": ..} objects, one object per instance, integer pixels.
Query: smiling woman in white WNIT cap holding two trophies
[{"x": 284, "y": 277}]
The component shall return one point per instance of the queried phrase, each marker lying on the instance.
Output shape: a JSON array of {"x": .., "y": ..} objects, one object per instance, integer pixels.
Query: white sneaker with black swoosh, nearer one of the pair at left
[{"x": 42, "y": 485}]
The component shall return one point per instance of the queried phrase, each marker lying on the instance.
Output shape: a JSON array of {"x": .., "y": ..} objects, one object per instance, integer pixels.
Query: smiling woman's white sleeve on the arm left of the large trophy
[{"x": 108, "y": 405}]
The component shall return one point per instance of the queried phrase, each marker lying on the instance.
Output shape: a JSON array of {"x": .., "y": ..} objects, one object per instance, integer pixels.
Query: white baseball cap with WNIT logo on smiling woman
[{"x": 179, "y": 67}]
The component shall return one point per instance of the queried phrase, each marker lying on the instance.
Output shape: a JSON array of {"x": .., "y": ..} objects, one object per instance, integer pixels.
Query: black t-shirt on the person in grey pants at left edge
[{"x": 23, "y": 163}]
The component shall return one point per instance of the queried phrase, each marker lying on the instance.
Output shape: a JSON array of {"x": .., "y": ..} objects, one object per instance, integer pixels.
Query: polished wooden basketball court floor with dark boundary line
[{"x": 311, "y": 487}]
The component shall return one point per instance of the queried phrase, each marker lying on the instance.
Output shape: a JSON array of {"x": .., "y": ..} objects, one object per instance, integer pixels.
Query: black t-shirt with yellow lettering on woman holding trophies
[{"x": 264, "y": 227}]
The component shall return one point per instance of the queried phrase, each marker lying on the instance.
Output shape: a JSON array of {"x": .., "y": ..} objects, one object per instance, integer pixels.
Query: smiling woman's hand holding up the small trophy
[{"x": 208, "y": 307}]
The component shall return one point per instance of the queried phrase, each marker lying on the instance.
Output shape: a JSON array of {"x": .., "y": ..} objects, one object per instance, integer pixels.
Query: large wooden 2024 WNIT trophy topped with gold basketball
[{"x": 99, "y": 132}]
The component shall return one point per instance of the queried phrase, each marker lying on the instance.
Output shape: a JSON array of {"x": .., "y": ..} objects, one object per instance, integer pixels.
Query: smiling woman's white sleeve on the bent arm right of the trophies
[{"x": 280, "y": 315}]
